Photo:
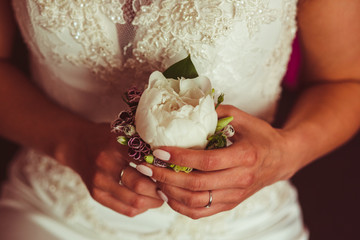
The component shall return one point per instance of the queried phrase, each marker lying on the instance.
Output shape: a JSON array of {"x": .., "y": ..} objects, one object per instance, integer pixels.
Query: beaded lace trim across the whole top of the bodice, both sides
[{"x": 164, "y": 29}]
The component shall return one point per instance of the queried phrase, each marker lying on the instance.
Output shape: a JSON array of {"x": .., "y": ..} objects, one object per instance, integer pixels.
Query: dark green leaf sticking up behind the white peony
[{"x": 184, "y": 68}]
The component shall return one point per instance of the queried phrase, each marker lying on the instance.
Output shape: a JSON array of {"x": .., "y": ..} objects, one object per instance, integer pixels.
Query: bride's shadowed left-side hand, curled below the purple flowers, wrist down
[{"x": 100, "y": 160}]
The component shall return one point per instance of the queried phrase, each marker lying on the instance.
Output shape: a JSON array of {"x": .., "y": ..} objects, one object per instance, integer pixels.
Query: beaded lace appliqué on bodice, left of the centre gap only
[{"x": 81, "y": 17}]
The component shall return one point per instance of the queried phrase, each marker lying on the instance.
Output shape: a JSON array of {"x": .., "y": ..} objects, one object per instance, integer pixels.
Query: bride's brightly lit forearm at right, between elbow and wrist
[{"x": 325, "y": 116}]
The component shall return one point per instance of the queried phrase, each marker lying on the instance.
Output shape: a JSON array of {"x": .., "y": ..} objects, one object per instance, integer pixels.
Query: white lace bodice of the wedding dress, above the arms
[{"x": 86, "y": 52}]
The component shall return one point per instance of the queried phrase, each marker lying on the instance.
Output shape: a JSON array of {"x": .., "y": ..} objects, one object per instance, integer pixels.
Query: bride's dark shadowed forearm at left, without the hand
[{"x": 30, "y": 118}]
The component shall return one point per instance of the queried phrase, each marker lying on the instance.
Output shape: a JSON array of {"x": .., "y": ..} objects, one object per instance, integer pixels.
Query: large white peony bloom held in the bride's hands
[{"x": 176, "y": 112}]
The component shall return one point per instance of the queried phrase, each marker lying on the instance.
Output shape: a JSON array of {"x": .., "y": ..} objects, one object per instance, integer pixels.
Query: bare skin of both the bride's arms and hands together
[{"x": 326, "y": 115}]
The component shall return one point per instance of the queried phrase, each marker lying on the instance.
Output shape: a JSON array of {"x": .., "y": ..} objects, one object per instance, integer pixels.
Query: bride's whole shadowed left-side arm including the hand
[{"x": 31, "y": 119}]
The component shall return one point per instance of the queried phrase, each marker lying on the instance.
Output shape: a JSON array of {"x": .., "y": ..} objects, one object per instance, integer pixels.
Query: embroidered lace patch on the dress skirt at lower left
[{"x": 62, "y": 192}]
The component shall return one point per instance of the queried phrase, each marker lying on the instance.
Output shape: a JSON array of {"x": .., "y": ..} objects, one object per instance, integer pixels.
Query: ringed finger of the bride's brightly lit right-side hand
[{"x": 202, "y": 198}]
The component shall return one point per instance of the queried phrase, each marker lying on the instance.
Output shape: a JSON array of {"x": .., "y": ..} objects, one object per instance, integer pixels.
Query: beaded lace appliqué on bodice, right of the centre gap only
[{"x": 192, "y": 26}]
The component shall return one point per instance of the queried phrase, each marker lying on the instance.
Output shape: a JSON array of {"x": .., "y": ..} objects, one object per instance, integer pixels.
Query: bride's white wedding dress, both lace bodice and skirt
[{"x": 86, "y": 53}]
